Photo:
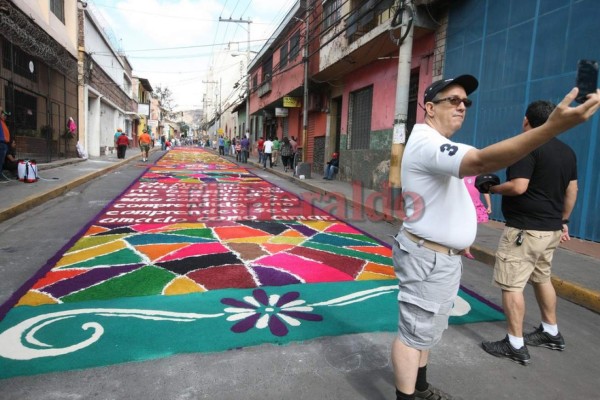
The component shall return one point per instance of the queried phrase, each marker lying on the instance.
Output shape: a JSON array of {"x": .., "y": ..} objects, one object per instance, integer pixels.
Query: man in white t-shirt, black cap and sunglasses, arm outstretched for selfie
[{"x": 441, "y": 218}]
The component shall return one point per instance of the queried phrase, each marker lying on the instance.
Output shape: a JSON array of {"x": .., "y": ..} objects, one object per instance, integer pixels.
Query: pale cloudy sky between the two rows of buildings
[{"x": 173, "y": 43}]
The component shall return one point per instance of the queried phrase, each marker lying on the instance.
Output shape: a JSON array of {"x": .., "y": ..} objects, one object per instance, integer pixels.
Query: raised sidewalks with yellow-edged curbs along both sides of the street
[{"x": 576, "y": 264}]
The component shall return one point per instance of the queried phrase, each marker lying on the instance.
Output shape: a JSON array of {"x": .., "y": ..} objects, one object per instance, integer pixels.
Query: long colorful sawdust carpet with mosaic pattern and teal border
[{"x": 200, "y": 255}]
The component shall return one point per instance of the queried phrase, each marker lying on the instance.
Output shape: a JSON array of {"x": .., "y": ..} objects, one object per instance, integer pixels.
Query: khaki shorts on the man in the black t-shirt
[{"x": 532, "y": 260}]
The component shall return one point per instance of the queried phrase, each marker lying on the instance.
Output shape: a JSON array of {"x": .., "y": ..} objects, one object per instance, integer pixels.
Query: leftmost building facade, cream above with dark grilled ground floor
[{"x": 38, "y": 76}]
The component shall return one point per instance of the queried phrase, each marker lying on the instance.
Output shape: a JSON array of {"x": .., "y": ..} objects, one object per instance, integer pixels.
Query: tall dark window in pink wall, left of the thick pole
[{"x": 359, "y": 118}]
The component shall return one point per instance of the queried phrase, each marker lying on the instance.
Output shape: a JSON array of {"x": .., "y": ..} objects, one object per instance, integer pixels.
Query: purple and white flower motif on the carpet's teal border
[{"x": 275, "y": 311}]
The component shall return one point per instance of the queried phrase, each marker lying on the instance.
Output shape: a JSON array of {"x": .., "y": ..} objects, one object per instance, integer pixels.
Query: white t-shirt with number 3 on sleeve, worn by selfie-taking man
[{"x": 436, "y": 201}]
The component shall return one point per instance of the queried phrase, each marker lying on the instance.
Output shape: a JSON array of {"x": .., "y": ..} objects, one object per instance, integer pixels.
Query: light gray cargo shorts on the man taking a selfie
[{"x": 429, "y": 283}]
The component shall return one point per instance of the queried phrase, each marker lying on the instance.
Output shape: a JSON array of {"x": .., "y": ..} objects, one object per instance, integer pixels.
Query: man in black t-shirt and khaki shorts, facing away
[{"x": 537, "y": 200}]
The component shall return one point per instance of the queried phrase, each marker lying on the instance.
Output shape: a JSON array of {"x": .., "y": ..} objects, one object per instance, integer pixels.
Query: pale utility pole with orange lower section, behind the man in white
[{"x": 404, "y": 13}]
